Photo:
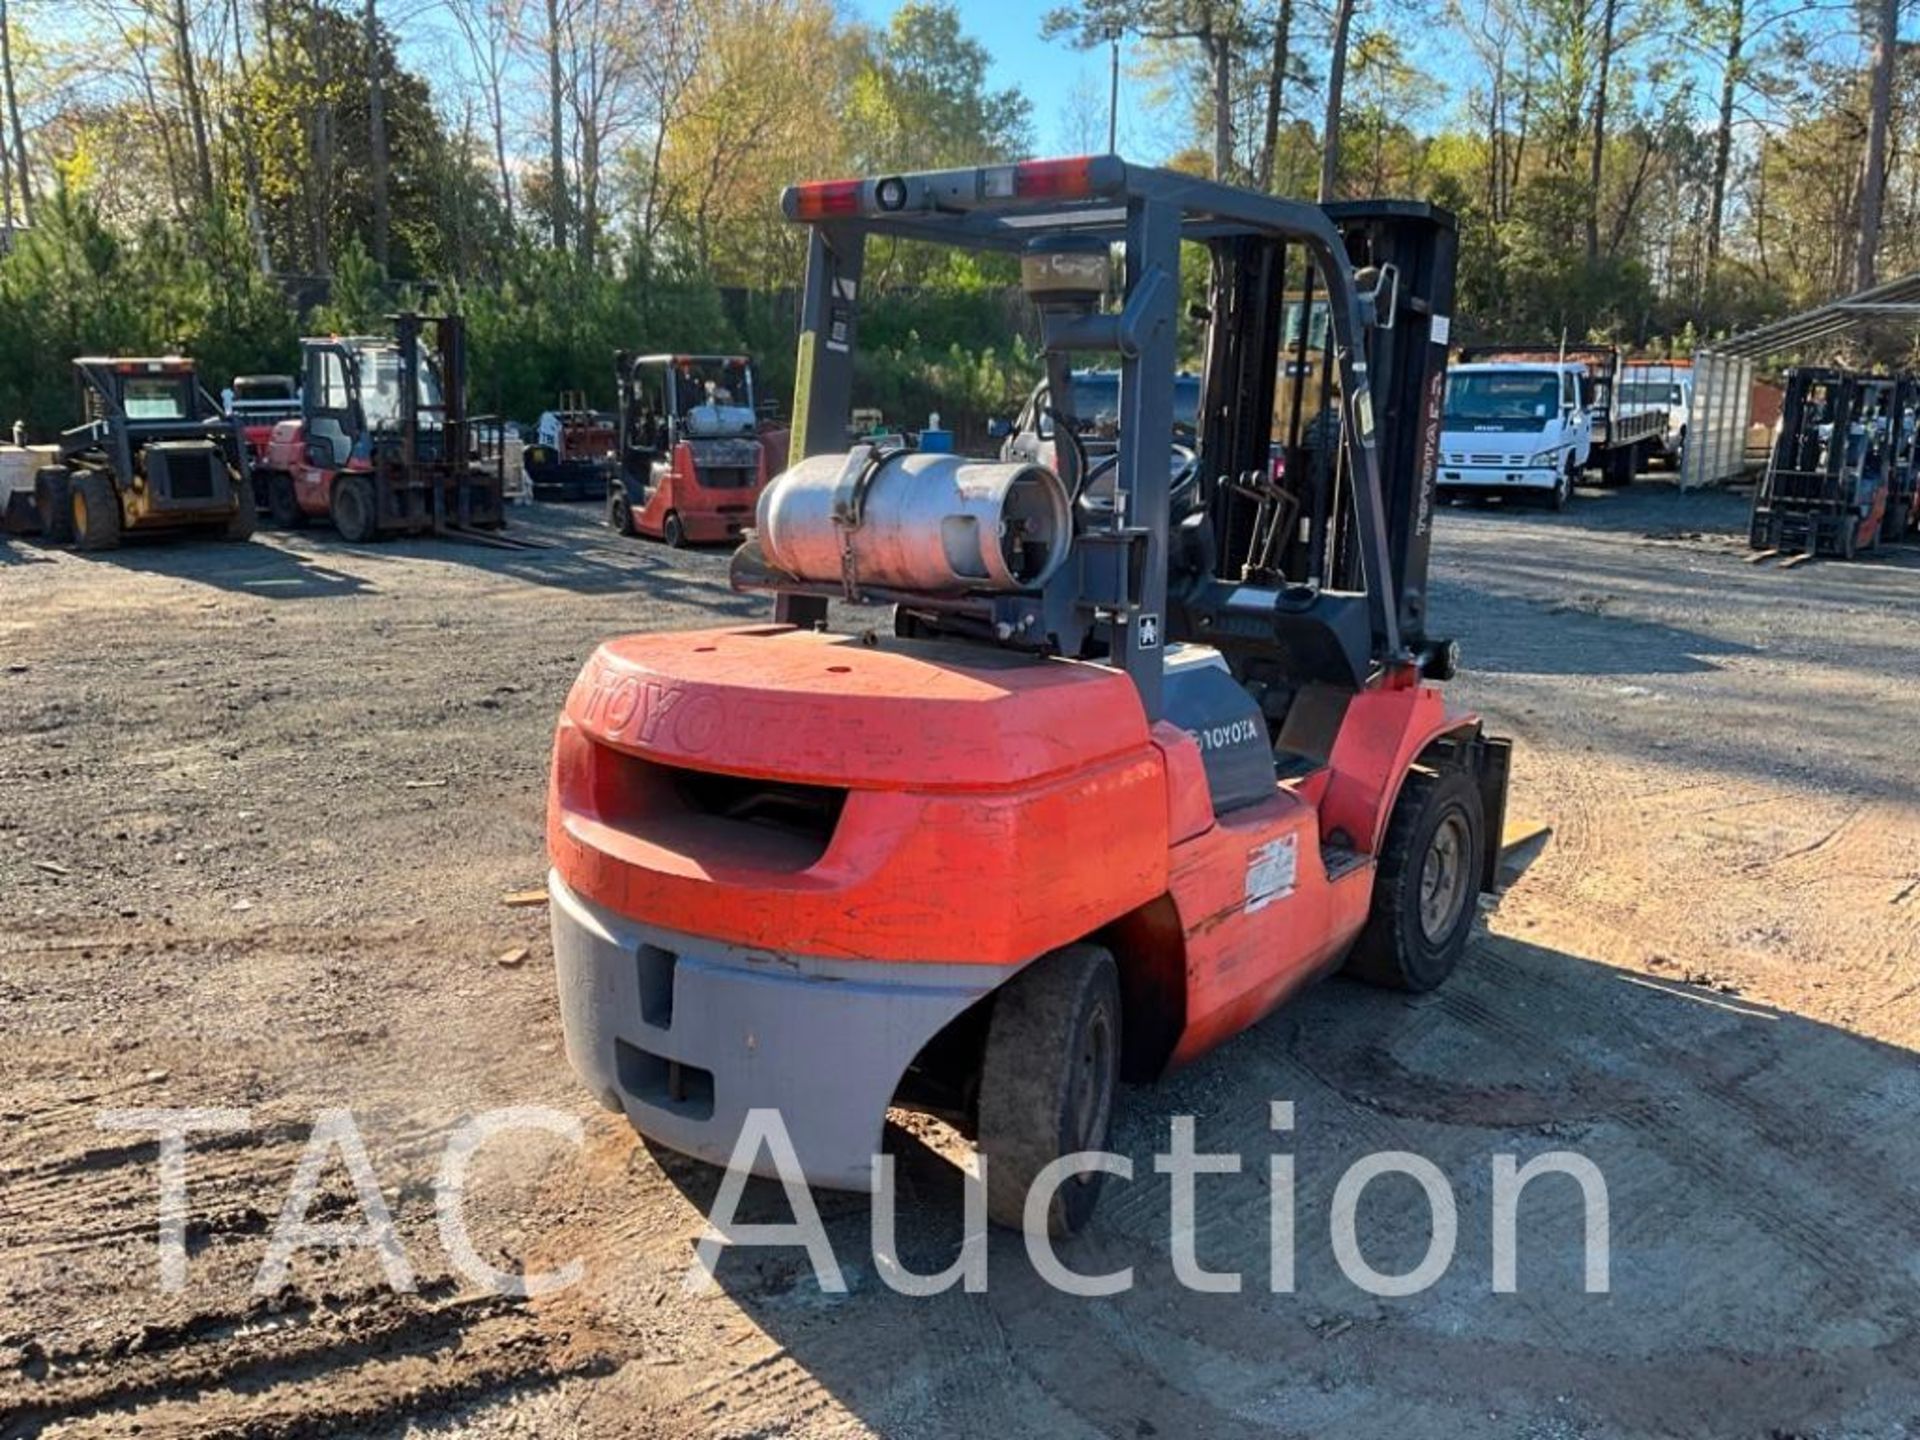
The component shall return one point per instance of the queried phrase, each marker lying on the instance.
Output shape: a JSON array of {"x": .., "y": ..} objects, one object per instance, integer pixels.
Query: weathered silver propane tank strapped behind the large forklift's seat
[{"x": 917, "y": 521}]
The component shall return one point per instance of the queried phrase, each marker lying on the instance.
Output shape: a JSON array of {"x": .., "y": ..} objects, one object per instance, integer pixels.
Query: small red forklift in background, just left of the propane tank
[{"x": 694, "y": 456}]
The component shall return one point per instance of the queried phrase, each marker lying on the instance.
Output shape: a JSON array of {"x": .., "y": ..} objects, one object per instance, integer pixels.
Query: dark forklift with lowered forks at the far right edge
[{"x": 1840, "y": 477}]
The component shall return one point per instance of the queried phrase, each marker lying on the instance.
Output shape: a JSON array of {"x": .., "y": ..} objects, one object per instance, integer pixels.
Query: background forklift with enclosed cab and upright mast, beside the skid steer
[{"x": 383, "y": 444}]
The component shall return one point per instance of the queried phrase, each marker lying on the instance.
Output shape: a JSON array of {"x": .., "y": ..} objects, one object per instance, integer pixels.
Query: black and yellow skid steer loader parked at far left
[{"x": 153, "y": 454}]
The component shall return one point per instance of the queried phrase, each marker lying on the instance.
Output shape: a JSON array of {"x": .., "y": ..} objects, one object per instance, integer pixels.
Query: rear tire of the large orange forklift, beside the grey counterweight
[{"x": 1047, "y": 1082}]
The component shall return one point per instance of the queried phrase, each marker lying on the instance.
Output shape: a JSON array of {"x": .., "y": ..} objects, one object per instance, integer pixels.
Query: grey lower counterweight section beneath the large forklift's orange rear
[{"x": 686, "y": 1036}]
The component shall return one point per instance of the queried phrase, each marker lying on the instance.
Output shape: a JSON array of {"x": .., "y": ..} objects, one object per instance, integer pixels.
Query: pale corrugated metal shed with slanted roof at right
[{"x": 1723, "y": 372}]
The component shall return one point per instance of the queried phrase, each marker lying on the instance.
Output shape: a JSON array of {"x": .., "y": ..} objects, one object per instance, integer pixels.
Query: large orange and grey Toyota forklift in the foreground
[{"x": 1147, "y": 750}]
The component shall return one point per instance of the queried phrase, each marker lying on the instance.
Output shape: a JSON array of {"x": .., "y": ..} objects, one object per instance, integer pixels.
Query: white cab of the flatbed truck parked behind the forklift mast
[{"x": 1516, "y": 429}]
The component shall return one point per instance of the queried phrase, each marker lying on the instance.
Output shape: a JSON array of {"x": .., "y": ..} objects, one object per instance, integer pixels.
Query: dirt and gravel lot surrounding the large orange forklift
[{"x": 260, "y": 809}]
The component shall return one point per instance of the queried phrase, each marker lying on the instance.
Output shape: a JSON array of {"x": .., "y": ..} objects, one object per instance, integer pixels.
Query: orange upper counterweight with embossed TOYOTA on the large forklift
[{"x": 823, "y": 794}]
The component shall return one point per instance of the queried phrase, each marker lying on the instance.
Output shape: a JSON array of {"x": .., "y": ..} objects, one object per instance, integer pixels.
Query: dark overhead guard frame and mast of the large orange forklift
[{"x": 1310, "y": 564}]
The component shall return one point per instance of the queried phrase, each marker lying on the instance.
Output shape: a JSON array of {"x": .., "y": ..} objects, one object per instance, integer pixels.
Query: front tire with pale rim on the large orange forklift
[{"x": 1426, "y": 884}]
